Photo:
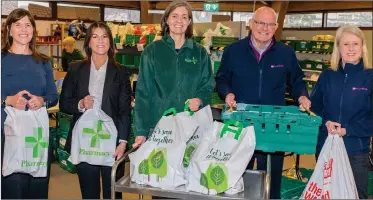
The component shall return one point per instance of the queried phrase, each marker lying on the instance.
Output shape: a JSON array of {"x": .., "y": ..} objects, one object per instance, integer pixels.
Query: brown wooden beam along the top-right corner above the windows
[{"x": 298, "y": 6}]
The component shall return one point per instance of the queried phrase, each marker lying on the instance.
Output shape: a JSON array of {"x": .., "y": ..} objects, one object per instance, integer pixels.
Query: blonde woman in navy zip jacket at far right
[{"x": 343, "y": 97}]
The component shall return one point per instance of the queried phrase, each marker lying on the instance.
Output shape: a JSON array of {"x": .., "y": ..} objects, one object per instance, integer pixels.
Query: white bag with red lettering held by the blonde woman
[{"x": 332, "y": 177}]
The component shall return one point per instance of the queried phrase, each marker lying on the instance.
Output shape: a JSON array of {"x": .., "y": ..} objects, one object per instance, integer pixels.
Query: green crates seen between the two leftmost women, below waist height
[{"x": 64, "y": 122}]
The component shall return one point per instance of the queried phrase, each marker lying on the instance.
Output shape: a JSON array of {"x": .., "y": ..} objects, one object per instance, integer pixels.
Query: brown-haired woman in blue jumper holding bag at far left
[{"x": 26, "y": 83}]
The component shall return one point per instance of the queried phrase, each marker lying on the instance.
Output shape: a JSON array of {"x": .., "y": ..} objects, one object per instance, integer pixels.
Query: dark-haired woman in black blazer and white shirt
[{"x": 101, "y": 81}]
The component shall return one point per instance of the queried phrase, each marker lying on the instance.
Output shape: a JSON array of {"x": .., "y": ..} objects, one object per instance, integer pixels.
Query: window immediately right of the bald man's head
[{"x": 309, "y": 20}]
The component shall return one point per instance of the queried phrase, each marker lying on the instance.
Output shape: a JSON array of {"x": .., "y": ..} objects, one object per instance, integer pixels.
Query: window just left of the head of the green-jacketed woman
[{"x": 119, "y": 14}]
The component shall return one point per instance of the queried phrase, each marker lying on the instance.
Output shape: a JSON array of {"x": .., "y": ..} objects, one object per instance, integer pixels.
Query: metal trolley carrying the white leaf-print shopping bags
[{"x": 257, "y": 186}]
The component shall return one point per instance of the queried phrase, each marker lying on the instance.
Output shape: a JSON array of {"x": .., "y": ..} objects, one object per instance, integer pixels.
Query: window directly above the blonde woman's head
[{"x": 362, "y": 19}]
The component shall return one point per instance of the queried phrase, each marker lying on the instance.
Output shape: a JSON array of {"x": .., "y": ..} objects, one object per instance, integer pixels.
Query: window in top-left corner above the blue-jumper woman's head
[{"x": 38, "y": 9}]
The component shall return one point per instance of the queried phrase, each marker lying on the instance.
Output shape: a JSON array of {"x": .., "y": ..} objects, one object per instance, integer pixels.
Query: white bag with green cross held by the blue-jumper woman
[{"x": 26, "y": 142}]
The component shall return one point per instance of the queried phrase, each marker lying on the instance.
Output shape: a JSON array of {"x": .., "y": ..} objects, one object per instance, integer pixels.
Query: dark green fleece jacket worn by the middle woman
[{"x": 167, "y": 79}]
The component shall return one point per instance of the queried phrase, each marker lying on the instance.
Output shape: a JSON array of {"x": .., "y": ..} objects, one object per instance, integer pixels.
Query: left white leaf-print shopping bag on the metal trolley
[{"x": 159, "y": 161}]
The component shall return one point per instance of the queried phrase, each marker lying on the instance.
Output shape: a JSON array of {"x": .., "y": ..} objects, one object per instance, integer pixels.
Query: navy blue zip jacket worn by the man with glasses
[{"x": 262, "y": 82}]
